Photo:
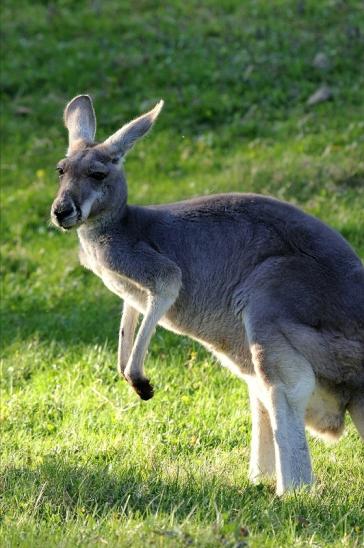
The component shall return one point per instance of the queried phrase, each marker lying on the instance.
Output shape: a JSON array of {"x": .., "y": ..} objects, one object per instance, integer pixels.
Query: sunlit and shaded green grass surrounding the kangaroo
[{"x": 84, "y": 462}]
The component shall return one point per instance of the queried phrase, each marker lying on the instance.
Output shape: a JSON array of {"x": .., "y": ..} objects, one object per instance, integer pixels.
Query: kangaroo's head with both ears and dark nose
[{"x": 92, "y": 182}]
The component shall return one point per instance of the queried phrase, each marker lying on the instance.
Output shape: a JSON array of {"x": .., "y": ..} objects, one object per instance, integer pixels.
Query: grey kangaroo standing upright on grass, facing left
[{"x": 273, "y": 293}]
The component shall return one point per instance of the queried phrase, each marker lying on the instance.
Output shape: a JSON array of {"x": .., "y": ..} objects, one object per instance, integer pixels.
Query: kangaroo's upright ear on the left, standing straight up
[{"x": 80, "y": 120}]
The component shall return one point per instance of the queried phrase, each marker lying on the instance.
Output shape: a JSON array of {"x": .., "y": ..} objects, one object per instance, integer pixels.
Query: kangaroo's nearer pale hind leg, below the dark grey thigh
[{"x": 286, "y": 382}]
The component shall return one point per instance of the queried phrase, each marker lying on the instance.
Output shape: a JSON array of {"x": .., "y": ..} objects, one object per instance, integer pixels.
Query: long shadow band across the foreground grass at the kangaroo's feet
[{"x": 60, "y": 492}]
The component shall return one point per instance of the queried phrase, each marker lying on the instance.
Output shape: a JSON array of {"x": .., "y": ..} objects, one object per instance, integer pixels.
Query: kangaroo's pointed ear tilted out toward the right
[{"x": 122, "y": 140}]
